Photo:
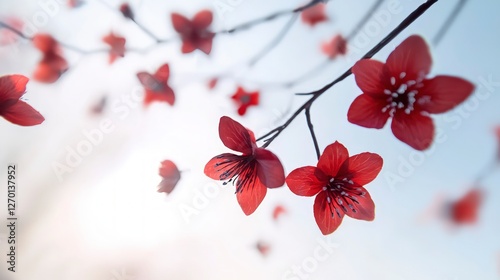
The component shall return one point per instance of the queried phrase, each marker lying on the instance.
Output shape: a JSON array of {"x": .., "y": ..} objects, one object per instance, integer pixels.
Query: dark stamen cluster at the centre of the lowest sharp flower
[{"x": 343, "y": 193}]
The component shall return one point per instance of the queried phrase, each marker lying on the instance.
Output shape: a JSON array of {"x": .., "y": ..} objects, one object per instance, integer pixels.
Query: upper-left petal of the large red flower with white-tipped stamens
[{"x": 369, "y": 76}]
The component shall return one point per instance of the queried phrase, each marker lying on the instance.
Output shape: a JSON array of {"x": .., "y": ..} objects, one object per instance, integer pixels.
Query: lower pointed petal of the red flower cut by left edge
[{"x": 22, "y": 114}]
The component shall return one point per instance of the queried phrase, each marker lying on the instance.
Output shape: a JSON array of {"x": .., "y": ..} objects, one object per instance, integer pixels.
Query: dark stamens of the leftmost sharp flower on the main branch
[{"x": 239, "y": 170}]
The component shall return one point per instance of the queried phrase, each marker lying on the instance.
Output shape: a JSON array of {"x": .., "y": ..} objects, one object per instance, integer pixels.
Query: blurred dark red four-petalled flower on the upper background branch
[{"x": 194, "y": 33}]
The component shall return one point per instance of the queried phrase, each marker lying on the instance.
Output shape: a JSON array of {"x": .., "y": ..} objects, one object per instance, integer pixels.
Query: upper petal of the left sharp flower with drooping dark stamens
[{"x": 235, "y": 136}]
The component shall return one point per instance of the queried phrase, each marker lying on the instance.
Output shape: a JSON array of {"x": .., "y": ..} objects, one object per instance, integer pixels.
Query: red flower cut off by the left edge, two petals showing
[{"x": 12, "y": 108}]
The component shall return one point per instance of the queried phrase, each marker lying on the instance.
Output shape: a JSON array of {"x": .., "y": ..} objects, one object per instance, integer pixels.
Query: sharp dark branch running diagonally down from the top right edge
[{"x": 317, "y": 93}]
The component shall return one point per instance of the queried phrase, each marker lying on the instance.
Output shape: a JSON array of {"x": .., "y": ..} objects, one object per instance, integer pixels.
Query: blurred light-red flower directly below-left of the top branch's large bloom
[{"x": 156, "y": 86}]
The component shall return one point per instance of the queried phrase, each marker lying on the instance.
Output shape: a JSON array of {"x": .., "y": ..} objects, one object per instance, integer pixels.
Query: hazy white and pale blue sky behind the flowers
[{"x": 106, "y": 221}]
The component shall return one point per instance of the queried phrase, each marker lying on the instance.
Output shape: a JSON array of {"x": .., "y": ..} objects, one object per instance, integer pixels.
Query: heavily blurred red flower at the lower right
[{"x": 466, "y": 209}]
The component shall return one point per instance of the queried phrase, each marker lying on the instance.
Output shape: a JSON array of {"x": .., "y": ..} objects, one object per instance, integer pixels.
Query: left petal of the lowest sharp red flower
[{"x": 306, "y": 181}]
